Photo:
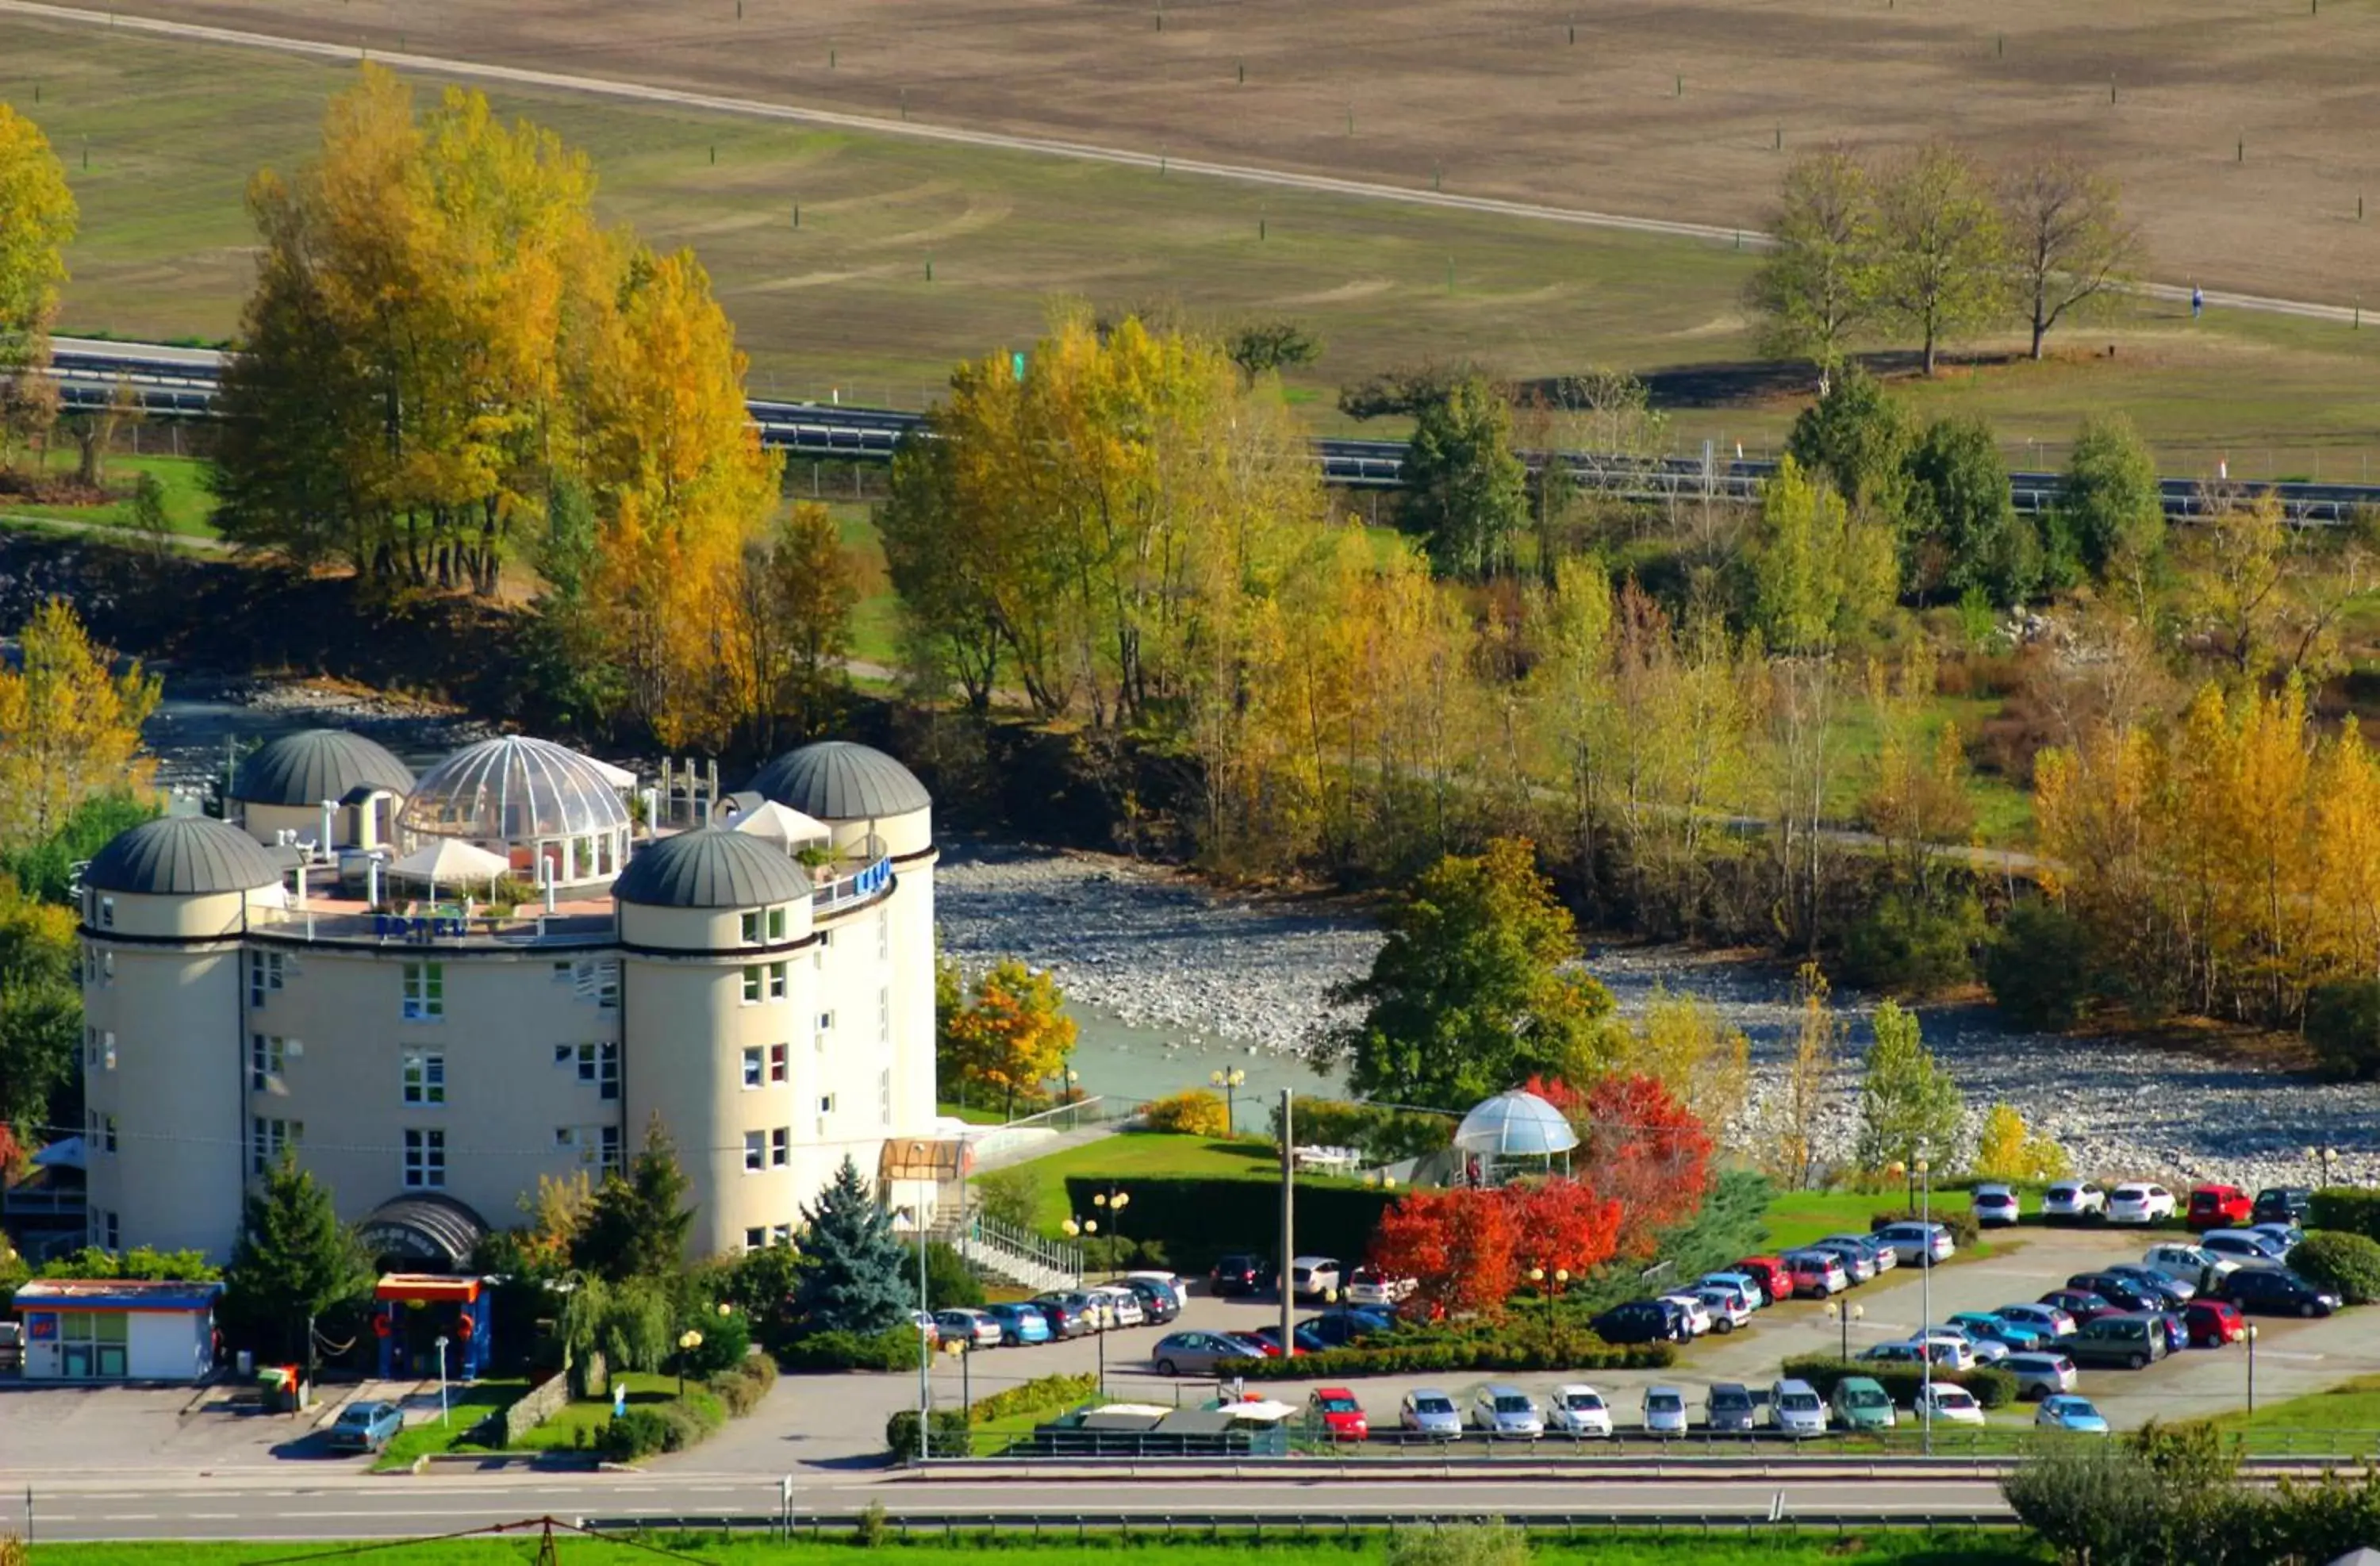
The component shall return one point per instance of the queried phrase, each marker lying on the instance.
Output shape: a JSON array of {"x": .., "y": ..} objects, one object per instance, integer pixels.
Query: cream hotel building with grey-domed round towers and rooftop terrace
[{"x": 265, "y": 986}]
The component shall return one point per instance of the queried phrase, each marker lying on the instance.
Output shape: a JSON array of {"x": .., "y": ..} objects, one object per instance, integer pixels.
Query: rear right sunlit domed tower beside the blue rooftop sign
[{"x": 875, "y": 951}]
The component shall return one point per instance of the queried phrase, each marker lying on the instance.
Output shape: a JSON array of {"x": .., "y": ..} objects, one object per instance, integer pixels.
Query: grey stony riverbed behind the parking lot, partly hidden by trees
[{"x": 1165, "y": 951}]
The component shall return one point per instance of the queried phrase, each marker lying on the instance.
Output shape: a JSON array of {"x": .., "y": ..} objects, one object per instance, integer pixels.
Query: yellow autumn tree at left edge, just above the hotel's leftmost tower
[{"x": 70, "y": 727}]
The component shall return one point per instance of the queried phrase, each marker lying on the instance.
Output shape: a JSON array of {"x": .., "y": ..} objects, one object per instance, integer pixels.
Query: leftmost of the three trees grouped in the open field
[{"x": 1820, "y": 282}]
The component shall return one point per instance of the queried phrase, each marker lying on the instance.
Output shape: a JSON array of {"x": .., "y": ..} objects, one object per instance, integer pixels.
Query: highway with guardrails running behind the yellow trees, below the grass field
[{"x": 180, "y": 382}]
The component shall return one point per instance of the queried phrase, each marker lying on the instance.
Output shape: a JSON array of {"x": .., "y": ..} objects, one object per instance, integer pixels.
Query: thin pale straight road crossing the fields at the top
[{"x": 753, "y": 108}]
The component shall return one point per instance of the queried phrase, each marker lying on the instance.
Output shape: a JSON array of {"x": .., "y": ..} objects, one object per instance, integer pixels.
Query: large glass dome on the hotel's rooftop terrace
[{"x": 532, "y": 801}]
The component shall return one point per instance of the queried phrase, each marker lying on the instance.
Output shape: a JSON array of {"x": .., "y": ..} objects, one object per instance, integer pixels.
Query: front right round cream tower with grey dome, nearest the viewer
[{"x": 718, "y": 998}]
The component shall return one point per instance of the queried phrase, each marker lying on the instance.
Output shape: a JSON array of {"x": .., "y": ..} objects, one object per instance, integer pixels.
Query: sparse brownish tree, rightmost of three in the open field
[{"x": 2069, "y": 242}]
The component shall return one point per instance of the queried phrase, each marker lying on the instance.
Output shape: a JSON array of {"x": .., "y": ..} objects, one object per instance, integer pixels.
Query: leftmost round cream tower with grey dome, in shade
[{"x": 165, "y": 1058}]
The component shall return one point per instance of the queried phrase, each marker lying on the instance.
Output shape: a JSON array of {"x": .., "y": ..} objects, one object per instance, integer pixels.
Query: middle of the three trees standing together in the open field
[{"x": 1943, "y": 246}]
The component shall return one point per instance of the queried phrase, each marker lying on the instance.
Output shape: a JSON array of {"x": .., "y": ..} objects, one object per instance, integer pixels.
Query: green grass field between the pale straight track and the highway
[{"x": 844, "y": 306}]
